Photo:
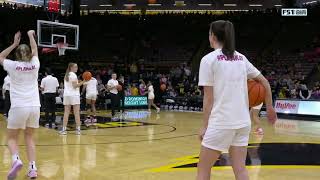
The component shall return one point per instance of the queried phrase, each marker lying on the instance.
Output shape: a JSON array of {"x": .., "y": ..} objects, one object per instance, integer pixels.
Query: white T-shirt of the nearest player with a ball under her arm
[{"x": 230, "y": 93}]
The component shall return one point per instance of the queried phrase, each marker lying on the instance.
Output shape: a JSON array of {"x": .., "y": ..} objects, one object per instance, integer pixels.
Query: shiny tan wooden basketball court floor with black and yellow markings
[{"x": 165, "y": 146}]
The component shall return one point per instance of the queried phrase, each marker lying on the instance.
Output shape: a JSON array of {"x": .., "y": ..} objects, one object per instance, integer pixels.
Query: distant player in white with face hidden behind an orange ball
[{"x": 91, "y": 90}]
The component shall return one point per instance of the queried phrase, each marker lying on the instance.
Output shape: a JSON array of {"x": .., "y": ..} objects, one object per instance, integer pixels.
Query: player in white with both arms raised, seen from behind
[{"x": 24, "y": 113}]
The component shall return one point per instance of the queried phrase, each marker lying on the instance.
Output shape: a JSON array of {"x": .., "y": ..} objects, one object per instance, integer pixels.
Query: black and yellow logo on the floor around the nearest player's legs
[{"x": 276, "y": 155}]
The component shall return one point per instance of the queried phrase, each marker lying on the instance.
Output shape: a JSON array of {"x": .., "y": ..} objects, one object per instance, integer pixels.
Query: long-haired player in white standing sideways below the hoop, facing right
[{"x": 71, "y": 98}]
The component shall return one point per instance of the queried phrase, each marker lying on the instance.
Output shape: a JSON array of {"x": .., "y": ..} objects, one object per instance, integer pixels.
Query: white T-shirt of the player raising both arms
[{"x": 24, "y": 91}]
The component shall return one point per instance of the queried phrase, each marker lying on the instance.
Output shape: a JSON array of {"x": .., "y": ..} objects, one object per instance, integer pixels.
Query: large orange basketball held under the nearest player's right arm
[{"x": 257, "y": 93}]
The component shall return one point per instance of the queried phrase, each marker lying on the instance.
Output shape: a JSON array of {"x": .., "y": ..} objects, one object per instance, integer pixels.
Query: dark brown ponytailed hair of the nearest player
[{"x": 224, "y": 31}]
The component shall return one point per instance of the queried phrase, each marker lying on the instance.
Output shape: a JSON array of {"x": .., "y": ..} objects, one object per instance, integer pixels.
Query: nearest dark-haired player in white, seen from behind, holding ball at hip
[{"x": 223, "y": 74}]
